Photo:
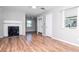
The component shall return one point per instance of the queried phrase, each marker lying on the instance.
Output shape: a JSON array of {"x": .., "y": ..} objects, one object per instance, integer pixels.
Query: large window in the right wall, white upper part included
[{"x": 70, "y": 20}]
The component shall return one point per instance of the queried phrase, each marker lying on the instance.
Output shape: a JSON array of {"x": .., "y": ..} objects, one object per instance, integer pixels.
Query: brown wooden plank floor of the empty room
[{"x": 37, "y": 44}]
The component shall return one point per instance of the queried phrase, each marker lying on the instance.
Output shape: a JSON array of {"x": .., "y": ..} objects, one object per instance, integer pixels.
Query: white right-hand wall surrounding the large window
[{"x": 70, "y": 35}]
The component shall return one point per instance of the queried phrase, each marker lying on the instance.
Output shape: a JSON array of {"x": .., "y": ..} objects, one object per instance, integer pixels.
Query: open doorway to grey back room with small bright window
[{"x": 31, "y": 24}]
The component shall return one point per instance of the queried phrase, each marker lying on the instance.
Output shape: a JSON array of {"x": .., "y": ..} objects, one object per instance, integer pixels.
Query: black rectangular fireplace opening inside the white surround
[{"x": 13, "y": 31}]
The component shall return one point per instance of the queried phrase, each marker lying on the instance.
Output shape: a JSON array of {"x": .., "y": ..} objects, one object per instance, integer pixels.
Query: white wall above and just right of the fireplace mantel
[{"x": 15, "y": 15}]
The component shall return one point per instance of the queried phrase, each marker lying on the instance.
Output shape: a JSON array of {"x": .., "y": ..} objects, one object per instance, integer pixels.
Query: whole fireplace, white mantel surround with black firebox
[{"x": 12, "y": 28}]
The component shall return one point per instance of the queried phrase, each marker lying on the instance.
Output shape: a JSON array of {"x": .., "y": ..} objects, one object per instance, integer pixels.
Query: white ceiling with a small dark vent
[{"x": 29, "y": 10}]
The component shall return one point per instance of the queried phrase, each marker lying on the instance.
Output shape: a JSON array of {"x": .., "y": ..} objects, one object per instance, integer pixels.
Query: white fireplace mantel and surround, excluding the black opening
[{"x": 12, "y": 23}]
